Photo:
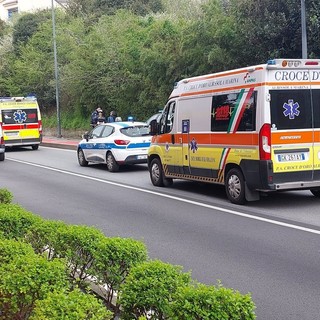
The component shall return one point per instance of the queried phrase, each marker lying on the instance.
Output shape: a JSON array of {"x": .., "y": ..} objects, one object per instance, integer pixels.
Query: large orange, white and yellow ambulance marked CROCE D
[{"x": 254, "y": 130}]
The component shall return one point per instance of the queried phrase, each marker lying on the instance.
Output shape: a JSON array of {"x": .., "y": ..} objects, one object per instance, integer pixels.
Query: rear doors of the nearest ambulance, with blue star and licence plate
[{"x": 295, "y": 123}]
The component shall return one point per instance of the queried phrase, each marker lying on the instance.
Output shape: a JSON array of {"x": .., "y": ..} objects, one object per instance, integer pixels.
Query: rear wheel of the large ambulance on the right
[{"x": 235, "y": 186}]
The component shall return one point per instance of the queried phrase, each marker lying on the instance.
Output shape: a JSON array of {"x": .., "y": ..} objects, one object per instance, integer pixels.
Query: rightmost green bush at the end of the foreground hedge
[{"x": 211, "y": 303}]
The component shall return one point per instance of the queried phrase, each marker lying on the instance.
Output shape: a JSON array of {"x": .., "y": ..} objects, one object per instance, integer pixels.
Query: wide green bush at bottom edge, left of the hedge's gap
[{"x": 74, "y": 305}]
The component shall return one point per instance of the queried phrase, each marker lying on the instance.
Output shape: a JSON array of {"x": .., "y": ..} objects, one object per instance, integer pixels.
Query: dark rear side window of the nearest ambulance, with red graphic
[{"x": 223, "y": 108}]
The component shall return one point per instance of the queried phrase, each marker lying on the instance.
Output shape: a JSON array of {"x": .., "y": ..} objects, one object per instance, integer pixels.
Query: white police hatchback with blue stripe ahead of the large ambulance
[{"x": 115, "y": 144}]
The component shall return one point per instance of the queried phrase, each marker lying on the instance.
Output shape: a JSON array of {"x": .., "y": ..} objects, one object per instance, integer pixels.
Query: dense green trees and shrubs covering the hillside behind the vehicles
[{"x": 126, "y": 55}]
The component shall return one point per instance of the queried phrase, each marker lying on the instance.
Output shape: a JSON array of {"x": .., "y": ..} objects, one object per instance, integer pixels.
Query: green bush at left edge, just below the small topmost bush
[{"x": 15, "y": 221}]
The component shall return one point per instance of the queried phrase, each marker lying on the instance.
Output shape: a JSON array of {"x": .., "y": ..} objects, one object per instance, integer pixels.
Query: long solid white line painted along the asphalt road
[{"x": 229, "y": 211}]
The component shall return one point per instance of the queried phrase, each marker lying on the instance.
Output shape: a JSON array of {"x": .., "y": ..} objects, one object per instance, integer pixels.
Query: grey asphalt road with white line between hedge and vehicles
[{"x": 269, "y": 248}]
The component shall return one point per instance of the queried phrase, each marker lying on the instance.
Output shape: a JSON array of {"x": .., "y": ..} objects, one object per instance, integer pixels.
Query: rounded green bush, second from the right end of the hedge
[{"x": 149, "y": 288}]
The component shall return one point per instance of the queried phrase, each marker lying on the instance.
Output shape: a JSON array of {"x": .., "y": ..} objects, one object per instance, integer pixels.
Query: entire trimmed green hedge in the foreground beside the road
[{"x": 52, "y": 270}]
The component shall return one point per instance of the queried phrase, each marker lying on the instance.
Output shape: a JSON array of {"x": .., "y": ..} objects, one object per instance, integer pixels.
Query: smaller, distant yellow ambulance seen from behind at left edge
[{"x": 21, "y": 123}]
